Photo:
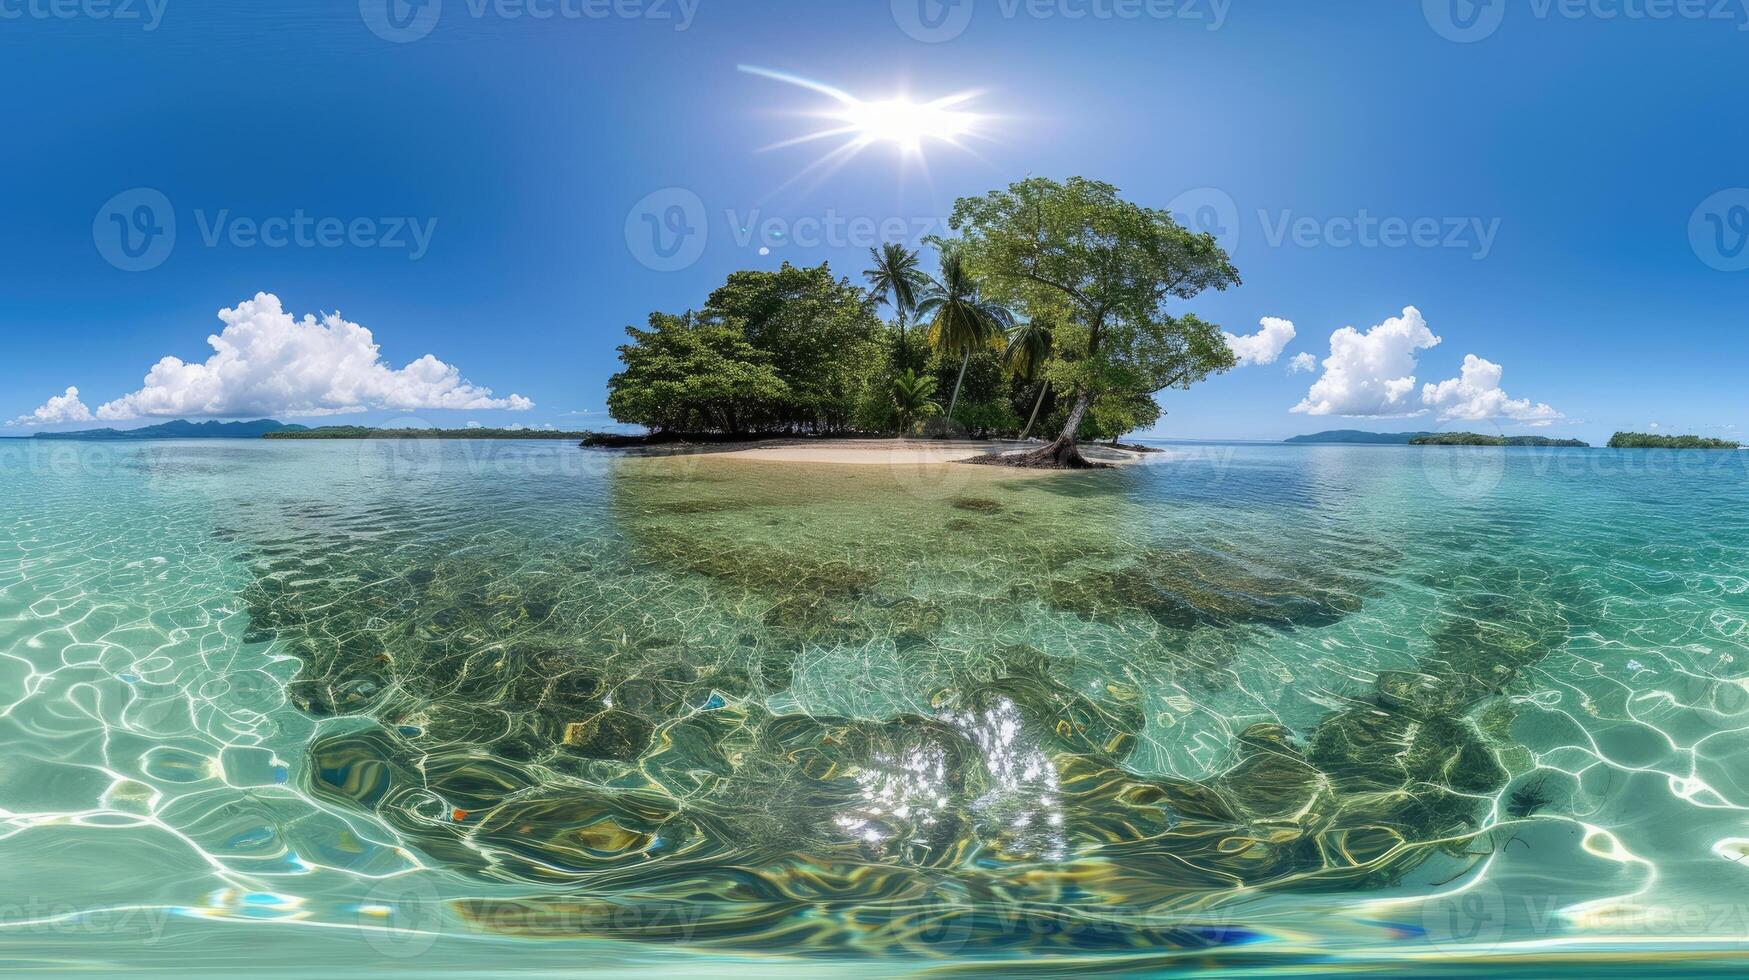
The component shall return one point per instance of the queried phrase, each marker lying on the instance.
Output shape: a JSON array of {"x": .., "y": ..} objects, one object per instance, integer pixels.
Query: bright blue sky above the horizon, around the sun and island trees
[{"x": 485, "y": 179}]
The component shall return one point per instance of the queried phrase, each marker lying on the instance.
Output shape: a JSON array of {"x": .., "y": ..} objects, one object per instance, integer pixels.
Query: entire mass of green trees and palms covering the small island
[{"x": 1049, "y": 312}]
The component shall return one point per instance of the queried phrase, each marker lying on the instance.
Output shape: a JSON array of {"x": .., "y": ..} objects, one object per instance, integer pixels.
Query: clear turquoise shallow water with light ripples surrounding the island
[{"x": 492, "y": 708}]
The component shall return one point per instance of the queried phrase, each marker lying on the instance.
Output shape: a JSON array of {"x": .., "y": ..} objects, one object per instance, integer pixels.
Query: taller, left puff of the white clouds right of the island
[{"x": 1372, "y": 374}]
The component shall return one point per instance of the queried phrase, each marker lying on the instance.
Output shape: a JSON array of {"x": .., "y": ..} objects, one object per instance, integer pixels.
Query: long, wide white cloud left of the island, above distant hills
[{"x": 268, "y": 363}]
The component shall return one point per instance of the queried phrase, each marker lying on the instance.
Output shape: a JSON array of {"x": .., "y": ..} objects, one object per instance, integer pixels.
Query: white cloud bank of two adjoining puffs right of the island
[{"x": 1372, "y": 375}]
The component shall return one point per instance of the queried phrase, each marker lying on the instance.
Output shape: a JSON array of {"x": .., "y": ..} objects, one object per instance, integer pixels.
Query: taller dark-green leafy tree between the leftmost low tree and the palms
[{"x": 819, "y": 335}]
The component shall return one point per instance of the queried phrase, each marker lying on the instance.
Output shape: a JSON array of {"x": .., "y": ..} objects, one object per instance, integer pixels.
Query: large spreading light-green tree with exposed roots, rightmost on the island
[{"x": 1108, "y": 267}]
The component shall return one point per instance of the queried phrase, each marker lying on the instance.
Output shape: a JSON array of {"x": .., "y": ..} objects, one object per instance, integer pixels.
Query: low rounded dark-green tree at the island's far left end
[{"x": 690, "y": 374}]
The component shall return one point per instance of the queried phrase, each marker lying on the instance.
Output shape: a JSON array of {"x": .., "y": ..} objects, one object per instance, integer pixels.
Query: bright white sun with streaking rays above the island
[{"x": 898, "y": 122}]
